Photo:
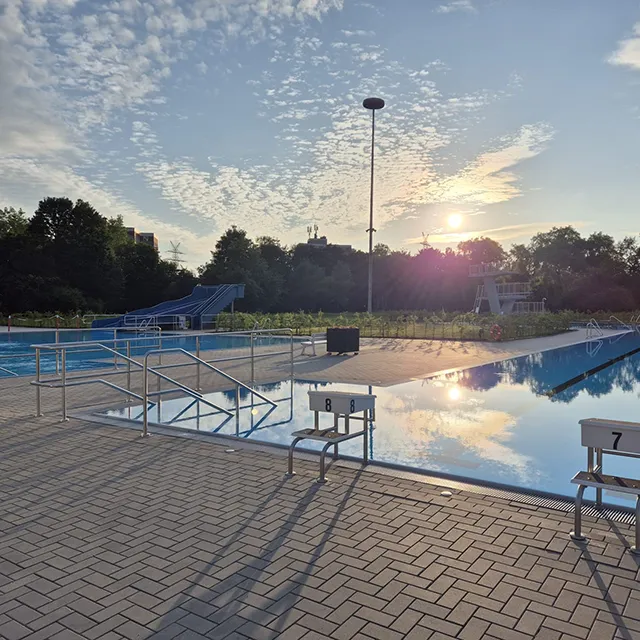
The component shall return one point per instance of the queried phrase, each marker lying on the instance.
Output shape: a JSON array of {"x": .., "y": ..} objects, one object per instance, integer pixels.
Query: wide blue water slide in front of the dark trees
[{"x": 203, "y": 301}]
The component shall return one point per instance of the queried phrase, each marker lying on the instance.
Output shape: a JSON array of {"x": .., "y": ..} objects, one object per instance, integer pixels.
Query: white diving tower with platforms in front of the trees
[{"x": 504, "y": 298}]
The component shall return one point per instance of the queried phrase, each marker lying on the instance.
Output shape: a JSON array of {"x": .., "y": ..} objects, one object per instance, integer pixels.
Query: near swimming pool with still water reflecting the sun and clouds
[{"x": 504, "y": 422}]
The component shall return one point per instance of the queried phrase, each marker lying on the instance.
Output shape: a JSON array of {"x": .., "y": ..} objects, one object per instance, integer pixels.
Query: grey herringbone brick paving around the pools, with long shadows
[{"x": 104, "y": 535}]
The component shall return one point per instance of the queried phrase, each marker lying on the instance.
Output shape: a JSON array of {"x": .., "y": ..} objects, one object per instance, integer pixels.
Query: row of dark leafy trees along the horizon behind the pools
[{"x": 68, "y": 257}]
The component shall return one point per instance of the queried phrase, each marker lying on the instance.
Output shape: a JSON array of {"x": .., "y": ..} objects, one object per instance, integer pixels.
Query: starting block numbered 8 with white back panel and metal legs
[{"x": 343, "y": 405}]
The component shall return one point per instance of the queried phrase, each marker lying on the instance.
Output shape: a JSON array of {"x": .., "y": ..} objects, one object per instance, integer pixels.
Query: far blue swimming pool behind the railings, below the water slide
[{"x": 17, "y": 355}]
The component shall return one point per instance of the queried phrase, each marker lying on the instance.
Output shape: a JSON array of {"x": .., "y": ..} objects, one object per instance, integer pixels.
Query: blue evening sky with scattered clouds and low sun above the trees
[{"x": 189, "y": 116}]
